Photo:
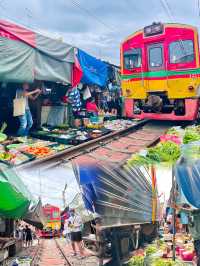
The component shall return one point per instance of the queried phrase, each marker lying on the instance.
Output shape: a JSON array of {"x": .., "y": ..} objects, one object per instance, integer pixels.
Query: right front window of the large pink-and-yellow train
[{"x": 181, "y": 52}]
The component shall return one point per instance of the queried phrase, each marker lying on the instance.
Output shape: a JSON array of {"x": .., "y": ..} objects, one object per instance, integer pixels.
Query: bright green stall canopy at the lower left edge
[{"x": 15, "y": 199}]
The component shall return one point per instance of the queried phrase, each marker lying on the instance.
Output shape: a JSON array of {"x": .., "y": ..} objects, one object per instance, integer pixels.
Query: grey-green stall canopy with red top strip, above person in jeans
[{"x": 26, "y": 55}]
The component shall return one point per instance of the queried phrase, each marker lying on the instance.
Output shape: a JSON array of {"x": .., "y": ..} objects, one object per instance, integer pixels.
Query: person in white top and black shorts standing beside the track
[{"x": 75, "y": 224}]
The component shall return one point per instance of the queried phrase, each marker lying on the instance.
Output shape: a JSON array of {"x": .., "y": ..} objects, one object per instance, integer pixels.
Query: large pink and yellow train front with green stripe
[{"x": 160, "y": 73}]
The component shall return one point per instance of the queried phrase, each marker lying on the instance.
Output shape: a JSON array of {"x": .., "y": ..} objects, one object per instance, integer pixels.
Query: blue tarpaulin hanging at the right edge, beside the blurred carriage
[{"x": 188, "y": 178}]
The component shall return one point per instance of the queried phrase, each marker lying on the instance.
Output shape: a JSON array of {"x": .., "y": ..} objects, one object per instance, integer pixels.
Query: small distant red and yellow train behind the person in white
[{"x": 53, "y": 225}]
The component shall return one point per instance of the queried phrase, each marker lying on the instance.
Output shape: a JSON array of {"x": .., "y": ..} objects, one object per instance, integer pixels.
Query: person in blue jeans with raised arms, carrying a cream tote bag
[{"x": 26, "y": 120}]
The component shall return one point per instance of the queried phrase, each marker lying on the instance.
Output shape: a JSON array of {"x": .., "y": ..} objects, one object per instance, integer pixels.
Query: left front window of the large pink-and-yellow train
[{"x": 133, "y": 58}]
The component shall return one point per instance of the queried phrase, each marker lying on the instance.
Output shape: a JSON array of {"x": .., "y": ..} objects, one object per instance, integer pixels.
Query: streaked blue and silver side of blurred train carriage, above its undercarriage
[{"x": 118, "y": 195}]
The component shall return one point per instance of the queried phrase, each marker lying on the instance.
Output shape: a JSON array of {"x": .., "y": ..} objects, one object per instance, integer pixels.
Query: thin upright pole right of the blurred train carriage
[{"x": 174, "y": 214}]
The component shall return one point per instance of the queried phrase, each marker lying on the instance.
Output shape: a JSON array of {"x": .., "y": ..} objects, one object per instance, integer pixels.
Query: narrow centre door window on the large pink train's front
[{"x": 155, "y": 57}]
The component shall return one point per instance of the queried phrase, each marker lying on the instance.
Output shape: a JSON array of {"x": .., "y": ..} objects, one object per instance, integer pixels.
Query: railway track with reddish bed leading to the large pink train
[{"x": 142, "y": 134}]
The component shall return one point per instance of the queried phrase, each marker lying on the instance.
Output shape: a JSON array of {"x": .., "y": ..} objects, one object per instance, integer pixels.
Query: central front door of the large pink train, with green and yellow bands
[{"x": 156, "y": 65}]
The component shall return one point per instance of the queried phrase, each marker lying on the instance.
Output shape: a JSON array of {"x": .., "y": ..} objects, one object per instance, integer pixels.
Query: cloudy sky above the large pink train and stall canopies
[{"x": 98, "y": 27}]
